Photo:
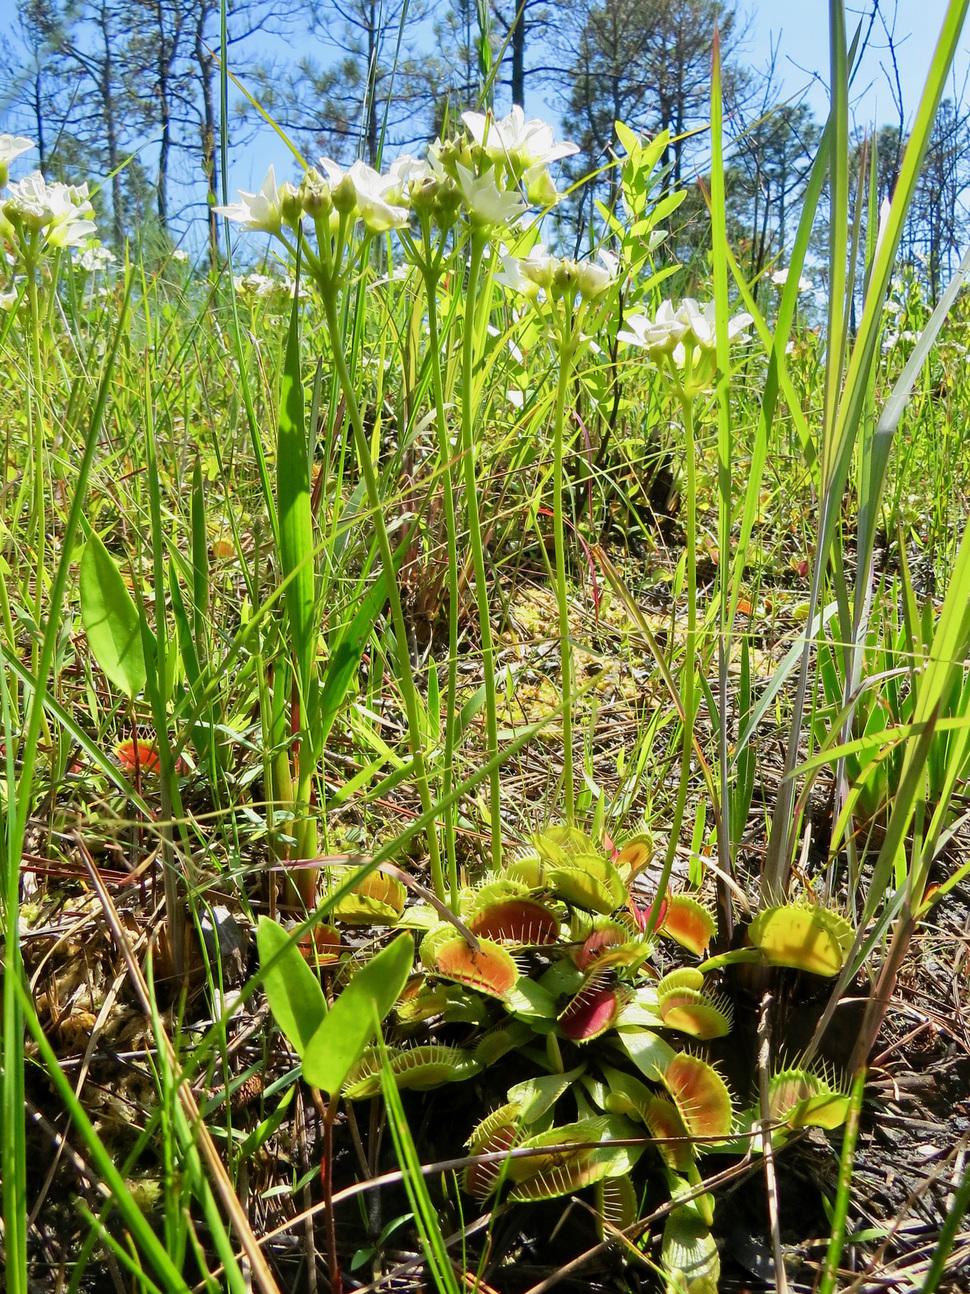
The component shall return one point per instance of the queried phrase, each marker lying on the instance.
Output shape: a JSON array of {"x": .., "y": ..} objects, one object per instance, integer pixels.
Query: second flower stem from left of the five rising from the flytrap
[{"x": 431, "y": 278}]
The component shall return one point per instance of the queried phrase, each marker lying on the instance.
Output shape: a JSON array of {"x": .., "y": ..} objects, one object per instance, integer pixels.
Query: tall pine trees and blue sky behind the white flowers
[{"x": 129, "y": 91}]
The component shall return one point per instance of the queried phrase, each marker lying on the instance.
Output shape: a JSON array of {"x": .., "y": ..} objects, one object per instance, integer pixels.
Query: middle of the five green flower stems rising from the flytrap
[{"x": 471, "y": 492}]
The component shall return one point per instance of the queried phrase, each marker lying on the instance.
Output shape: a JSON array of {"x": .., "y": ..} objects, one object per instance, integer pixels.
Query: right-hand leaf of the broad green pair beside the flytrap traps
[{"x": 355, "y": 1018}]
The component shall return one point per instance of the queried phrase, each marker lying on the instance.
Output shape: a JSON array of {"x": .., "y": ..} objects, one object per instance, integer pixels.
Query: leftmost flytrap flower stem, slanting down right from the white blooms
[{"x": 387, "y": 557}]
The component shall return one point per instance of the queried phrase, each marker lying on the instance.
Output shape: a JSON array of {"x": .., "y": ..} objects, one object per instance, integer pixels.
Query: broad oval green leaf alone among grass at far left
[{"x": 112, "y": 620}]
